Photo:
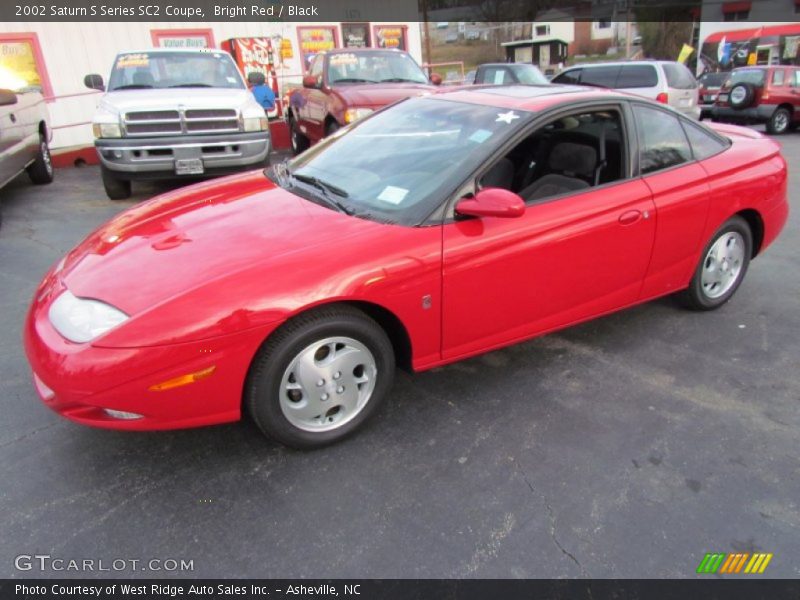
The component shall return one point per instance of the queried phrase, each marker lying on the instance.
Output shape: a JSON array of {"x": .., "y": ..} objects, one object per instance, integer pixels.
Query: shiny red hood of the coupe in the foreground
[{"x": 186, "y": 239}]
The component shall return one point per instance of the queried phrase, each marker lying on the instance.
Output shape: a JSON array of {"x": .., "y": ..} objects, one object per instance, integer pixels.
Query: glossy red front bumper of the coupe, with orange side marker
[{"x": 81, "y": 381}]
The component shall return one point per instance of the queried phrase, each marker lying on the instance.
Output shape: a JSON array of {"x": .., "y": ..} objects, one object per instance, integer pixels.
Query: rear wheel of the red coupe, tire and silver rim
[{"x": 722, "y": 267}]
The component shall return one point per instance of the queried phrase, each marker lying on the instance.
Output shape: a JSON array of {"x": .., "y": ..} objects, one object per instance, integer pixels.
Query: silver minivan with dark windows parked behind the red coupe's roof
[{"x": 664, "y": 81}]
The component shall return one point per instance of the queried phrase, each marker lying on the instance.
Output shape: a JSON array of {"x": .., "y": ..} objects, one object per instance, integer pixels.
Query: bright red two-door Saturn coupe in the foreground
[{"x": 442, "y": 227}]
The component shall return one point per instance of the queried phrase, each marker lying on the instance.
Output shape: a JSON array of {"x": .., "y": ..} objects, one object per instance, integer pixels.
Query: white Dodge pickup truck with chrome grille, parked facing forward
[{"x": 174, "y": 114}]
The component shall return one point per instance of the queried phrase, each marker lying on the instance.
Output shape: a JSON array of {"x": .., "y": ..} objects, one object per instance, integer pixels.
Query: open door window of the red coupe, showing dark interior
[{"x": 570, "y": 154}]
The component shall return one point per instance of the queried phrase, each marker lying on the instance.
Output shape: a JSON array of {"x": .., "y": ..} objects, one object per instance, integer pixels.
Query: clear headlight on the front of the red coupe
[{"x": 82, "y": 320}]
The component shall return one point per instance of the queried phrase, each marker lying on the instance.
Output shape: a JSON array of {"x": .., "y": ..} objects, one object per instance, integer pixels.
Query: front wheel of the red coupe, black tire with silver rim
[{"x": 320, "y": 377}]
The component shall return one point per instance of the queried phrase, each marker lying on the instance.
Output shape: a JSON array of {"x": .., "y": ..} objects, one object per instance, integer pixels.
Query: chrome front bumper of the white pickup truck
[{"x": 154, "y": 157}]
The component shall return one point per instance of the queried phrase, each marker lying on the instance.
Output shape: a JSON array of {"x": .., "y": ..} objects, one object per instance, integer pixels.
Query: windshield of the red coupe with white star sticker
[{"x": 400, "y": 164}]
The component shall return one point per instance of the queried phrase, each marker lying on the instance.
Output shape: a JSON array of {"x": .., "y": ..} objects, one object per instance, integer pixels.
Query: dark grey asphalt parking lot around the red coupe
[{"x": 626, "y": 447}]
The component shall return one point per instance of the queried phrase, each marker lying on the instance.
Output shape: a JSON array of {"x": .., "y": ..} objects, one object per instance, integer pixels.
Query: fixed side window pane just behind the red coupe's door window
[{"x": 662, "y": 143}]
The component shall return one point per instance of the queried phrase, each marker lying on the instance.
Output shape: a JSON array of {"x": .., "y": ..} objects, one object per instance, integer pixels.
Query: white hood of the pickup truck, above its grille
[{"x": 126, "y": 100}]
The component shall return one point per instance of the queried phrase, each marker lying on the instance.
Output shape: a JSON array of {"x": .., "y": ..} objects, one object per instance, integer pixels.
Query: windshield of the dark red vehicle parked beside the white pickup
[{"x": 373, "y": 67}]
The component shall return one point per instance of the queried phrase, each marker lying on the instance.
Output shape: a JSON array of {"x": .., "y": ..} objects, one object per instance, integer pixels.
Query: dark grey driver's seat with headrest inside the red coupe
[{"x": 571, "y": 167}]
